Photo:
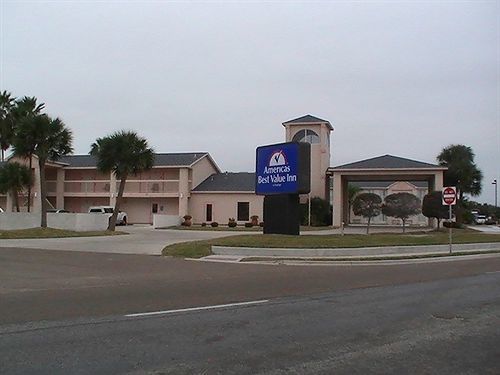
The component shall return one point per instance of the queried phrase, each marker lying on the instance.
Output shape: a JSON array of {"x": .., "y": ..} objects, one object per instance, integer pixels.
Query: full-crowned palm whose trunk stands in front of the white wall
[{"x": 49, "y": 140}]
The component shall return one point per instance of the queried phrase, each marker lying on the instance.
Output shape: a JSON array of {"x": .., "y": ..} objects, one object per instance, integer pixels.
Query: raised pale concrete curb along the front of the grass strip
[{"x": 350, "y": 252}]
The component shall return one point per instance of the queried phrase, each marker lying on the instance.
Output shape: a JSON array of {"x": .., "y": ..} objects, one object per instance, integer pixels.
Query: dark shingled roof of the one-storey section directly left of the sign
[{"x": 241, "y": 181}]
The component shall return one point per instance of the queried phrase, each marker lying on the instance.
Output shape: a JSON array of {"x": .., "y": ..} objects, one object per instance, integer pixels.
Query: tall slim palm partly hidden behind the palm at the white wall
[{"x": 24, "y": 112}]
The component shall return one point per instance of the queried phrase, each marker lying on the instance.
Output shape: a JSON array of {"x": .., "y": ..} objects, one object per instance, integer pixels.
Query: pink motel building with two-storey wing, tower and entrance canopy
[{"x": 193, "y": 184}]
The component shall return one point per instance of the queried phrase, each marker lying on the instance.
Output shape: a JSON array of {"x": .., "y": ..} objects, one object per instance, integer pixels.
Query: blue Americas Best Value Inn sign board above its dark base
[{"x": 283, "y": 168}]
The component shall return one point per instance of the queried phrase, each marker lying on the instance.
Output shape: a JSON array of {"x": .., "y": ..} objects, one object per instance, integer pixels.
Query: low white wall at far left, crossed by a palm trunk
[{"x": 76, "y": 222}]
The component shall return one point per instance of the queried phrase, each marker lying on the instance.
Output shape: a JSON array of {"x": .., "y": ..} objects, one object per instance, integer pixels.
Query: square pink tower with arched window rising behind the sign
[{"x": 316, "y": 132}]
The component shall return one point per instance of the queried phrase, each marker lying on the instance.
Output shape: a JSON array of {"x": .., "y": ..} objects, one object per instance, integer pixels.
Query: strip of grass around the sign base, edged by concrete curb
[{"x": 199, "y": 249}]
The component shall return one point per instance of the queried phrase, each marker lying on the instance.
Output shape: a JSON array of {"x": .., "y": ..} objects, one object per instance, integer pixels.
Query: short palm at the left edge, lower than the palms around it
[{"x": 14, "y": 178}]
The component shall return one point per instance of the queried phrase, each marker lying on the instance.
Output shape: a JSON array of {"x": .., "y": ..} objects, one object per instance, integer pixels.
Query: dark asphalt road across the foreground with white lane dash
[{"x": 65, "y": 313}]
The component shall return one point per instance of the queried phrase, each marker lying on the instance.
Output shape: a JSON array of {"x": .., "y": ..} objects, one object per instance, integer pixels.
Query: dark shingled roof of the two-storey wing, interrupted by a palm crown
[{"x": 161, "y": 160}]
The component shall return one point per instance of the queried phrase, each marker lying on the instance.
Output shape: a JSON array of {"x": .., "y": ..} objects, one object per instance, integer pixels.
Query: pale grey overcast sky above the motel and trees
[{"x": 405, "y": 78}]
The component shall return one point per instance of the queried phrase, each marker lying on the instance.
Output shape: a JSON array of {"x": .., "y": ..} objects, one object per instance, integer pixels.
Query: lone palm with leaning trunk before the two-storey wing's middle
[{"x": 124, "y": 153}]
